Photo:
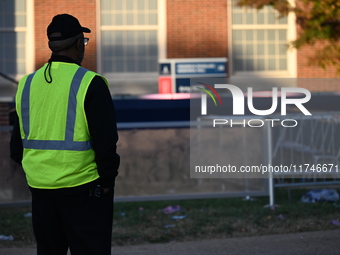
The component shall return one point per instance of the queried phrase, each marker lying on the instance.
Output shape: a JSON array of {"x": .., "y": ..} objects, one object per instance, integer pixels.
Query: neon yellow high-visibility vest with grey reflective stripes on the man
[{"x": 54, "y": 130}]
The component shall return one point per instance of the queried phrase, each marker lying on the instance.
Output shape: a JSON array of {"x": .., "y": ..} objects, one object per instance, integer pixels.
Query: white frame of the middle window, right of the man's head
[{"x": 161, "y": 37}]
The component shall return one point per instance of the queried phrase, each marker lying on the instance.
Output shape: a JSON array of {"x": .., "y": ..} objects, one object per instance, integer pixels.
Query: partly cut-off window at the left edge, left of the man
[{"x": 13, "y": 30}]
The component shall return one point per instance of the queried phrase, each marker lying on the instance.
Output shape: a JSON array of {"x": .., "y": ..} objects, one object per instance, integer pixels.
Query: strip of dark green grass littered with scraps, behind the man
[{"x": 145, "y": 222}]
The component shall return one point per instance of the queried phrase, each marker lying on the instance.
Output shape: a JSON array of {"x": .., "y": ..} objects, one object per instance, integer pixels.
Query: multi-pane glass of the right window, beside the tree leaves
[{"x": 260, "y": 40}]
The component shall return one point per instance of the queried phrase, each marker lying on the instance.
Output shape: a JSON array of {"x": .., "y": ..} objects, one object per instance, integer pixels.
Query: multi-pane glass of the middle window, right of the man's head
[{"x": 129, "y": 36}]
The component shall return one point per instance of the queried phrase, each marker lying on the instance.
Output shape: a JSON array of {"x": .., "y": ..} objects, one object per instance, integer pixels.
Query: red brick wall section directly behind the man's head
[{"x": 45, "y": 10}]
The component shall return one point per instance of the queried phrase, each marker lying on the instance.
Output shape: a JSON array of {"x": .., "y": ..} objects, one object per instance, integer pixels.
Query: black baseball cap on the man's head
[{"x": 64, "y": 26}]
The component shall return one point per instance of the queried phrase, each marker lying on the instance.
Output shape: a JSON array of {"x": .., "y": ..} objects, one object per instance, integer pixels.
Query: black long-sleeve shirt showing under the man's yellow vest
[{"x": 101, "y": 119}]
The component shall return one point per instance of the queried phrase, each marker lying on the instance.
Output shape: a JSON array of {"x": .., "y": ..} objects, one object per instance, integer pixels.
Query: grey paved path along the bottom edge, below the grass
[{"x": 307, "y": 243}]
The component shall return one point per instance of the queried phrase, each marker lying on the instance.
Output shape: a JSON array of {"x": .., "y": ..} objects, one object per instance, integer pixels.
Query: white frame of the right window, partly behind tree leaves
[{"x": 291, "y": 72}]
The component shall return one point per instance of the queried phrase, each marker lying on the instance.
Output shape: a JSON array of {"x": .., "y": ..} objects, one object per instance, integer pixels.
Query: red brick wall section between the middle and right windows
[{"x": 197, "y": 28}]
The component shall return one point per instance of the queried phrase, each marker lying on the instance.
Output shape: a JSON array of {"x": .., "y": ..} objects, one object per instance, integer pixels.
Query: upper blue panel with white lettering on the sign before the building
[{"x": 201, "y": 68}]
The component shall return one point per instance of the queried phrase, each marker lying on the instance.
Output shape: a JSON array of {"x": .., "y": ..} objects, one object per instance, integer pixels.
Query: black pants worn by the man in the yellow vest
[{"x": 78, "y": 222}]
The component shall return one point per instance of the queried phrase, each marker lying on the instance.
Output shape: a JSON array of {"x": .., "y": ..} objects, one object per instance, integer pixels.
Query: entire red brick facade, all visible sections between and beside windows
[{"x": 195, "y": 29}]
